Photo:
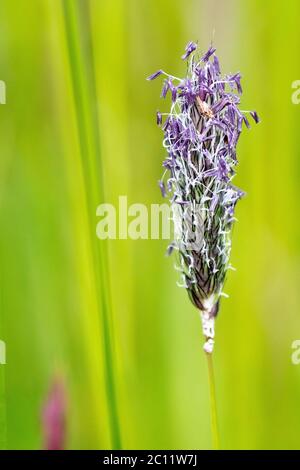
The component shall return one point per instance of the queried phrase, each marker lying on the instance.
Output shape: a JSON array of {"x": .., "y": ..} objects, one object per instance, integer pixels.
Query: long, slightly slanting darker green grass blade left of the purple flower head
[{"x": 87, "y": 123}]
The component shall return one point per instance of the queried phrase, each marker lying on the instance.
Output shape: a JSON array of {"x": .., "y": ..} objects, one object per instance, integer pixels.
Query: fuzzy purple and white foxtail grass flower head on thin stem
[{"x": 201, "y": 133}]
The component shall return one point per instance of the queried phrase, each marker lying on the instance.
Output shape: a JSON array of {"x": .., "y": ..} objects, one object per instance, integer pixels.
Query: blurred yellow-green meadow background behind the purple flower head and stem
[{"x": 79, "y": 129}]
